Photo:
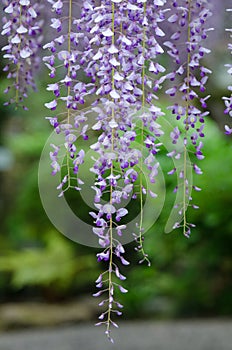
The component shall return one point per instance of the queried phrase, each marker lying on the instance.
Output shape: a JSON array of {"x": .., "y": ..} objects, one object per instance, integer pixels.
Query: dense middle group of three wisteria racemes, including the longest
[{"x": 112, "y": 43}]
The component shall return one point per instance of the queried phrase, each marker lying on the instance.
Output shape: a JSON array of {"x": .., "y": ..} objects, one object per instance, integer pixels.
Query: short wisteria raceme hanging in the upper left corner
[{"x": 22, "y": 26}]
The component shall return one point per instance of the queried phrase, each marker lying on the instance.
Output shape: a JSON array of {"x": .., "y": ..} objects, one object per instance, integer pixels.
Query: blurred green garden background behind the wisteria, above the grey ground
[{"x": 39, "y": 267}]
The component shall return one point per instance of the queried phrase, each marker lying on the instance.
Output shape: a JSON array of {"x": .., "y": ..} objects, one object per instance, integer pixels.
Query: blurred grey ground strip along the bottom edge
[{"x": 178, "y": 335}]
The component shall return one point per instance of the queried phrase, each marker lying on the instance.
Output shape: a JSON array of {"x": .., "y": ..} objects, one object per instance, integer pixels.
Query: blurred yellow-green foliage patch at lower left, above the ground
[{"x": 54, "y": 265}]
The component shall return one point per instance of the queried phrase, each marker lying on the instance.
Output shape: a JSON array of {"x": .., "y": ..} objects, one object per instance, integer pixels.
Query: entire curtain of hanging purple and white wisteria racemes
[{"x": 121, "y": 47}]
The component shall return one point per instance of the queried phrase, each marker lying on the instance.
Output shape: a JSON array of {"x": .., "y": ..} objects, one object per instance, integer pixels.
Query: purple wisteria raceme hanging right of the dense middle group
[{"x": 187, "y": 83}]
